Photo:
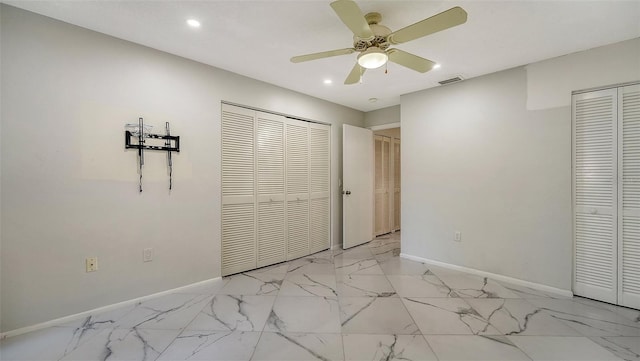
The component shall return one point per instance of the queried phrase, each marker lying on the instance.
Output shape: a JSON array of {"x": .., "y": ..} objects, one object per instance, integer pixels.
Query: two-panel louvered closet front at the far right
[{"x": 606, "y": 194}]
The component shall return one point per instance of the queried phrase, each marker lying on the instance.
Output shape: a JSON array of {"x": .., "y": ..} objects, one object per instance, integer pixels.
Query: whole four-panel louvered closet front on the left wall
[{"x": 275, "y": 188}]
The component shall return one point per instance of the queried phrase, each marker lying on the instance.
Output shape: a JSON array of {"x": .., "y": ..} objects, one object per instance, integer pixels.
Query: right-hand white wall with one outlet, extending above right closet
[{"x": 477, "y": 159}]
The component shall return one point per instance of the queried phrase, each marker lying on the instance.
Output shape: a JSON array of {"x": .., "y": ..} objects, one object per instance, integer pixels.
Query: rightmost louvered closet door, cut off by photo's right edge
[{"x": 629, "y": 191}]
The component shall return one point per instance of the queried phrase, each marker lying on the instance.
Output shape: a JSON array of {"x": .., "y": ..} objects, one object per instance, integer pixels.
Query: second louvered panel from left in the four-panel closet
[{"x": 271, "y": 238}]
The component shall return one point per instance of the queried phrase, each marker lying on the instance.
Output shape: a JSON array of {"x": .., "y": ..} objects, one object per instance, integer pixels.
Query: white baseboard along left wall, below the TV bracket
[{"x": 66, "y": 319}]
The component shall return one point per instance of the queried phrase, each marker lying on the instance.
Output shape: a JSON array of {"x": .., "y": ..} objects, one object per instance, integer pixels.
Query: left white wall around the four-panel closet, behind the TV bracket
[{"x": 69, "y": 188}]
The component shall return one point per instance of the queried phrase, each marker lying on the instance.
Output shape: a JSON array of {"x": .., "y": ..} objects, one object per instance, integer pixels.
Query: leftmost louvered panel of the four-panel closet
[{"x": 238, "y": 190}]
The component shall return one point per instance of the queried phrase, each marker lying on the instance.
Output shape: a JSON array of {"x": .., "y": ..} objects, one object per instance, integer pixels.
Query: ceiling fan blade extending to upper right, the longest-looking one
[{"x": 445, "y": 20}]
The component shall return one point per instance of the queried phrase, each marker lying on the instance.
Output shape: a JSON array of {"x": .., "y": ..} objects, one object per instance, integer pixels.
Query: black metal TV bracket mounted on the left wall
[{"x": 139, "y": 134}]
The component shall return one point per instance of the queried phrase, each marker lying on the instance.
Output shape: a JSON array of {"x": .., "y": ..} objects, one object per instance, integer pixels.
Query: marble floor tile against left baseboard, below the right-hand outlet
[{"x": 172, "y": 311}]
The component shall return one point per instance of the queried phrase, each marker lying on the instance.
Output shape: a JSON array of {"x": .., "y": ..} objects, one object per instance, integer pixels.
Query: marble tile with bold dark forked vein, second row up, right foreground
[{"x": 519, "y": 317}]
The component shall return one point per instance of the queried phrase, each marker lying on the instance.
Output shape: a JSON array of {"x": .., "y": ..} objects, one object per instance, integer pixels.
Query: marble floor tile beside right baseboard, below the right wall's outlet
[{"x": 471, "y": 286}]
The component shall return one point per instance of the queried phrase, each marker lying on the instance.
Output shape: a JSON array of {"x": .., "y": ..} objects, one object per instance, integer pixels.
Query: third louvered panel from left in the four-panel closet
[{"x": 297, "y": 188}]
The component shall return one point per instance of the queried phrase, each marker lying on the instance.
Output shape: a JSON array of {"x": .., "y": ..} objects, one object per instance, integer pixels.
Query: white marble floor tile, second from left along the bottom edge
[{"x": 124, "y": 344}]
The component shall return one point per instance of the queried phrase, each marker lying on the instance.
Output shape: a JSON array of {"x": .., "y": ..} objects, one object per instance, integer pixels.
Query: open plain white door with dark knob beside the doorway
[{"x": 357, "y": 194}]
